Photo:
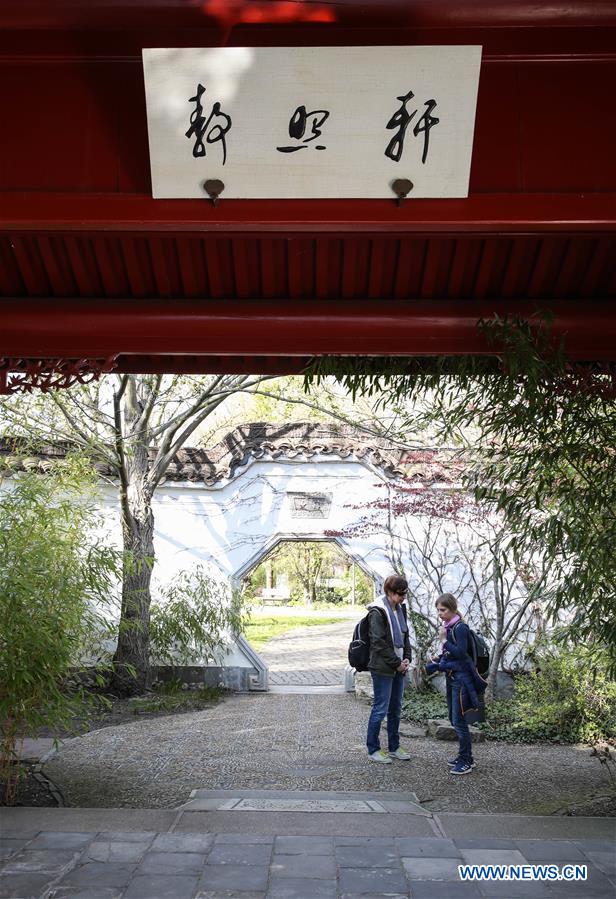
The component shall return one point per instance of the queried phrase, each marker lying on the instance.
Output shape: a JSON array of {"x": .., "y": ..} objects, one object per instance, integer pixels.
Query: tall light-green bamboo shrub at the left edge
[{"x": 56, "y": 579}]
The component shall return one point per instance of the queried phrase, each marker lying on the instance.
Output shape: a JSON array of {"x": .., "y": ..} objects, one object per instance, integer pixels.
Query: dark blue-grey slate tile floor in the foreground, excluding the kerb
[{"x": 115, "y": 864}]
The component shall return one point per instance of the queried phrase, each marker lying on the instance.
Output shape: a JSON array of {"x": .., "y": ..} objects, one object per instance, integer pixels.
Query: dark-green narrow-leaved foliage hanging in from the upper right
[{"x": 537, "y": 433}]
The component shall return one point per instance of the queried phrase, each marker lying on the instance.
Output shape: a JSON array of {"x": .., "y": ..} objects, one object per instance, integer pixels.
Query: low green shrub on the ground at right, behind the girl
[{"x": 564, "y": 700}]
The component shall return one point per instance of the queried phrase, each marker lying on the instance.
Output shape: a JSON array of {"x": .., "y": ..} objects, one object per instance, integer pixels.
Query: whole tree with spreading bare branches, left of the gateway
[{"x": 131, "y": 426}]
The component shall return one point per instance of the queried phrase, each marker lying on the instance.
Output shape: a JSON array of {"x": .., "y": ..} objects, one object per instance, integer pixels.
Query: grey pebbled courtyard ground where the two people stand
[{"x": 305, "y": 742}]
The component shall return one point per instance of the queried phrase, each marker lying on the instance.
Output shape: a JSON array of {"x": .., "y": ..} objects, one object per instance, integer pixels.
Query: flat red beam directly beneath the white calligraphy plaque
[{"x": 477, "y": 214}]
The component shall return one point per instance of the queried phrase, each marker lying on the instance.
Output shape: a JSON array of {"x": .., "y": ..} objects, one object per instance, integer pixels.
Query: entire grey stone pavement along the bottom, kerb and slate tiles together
[{"x": 190, "y": 859}]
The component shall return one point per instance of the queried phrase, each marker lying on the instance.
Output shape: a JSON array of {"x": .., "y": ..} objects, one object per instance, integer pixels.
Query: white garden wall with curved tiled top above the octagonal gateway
[{"x": 228, "y": 514}]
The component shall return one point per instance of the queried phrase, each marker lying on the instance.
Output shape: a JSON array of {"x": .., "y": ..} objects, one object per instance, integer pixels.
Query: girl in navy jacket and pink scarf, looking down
[{"x": 464, "y": 685}]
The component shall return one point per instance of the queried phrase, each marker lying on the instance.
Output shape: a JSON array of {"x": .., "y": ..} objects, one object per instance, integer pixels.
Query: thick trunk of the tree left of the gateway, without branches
[{"x": 132, "y": 657}]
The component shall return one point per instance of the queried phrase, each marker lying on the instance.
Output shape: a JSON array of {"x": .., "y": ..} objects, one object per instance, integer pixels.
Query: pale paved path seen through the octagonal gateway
[{"x": 310, "y": 656}]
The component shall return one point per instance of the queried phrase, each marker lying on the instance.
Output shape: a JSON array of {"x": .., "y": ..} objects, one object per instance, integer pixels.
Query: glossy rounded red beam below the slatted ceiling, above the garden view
[{"x": 100, "y": 328}]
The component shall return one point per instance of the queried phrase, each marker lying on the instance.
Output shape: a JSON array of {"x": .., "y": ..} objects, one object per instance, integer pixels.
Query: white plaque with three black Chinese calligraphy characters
[{"x": 308, "y": 122}]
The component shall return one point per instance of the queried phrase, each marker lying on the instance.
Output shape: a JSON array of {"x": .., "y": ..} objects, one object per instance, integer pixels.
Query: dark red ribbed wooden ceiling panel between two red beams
[{"x": 141, "y": 266}]
